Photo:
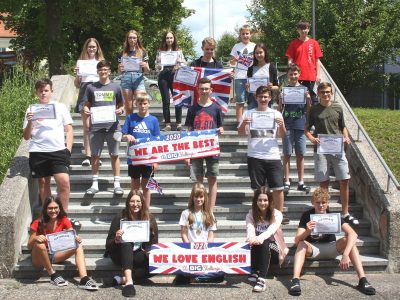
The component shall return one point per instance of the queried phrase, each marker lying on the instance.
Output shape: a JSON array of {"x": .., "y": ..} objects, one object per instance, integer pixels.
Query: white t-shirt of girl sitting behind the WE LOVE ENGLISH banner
[{"x": 197, "y": 232}]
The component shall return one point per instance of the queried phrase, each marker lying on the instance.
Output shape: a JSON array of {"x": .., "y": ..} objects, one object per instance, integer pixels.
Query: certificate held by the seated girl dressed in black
[{"x": 135, "y": 231}]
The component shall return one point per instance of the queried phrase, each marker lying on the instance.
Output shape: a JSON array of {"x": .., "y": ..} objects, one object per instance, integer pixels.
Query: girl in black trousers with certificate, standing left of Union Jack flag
[{"x": 169, "y": 58}]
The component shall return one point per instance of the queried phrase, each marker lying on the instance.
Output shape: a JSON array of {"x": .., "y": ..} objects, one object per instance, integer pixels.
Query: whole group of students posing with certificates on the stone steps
[{"x": 50, "y": 156}]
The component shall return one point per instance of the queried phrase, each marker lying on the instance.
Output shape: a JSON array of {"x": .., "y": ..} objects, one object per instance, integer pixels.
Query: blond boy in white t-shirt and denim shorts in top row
[{"x": 242, "y": 57}]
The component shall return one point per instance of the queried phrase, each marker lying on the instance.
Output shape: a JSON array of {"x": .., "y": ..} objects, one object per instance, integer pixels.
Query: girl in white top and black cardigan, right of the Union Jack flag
[{"x": 261, "y": 68}]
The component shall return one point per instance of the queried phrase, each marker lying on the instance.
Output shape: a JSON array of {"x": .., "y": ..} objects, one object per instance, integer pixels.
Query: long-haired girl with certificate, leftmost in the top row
[{"x": 91, "y": 51}]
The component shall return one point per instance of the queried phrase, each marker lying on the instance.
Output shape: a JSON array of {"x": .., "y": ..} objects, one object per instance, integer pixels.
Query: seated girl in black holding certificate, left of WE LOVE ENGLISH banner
[{"x": 133, "y": 257}]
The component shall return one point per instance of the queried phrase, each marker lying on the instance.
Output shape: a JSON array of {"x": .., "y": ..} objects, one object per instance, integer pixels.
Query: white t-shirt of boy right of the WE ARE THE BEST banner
[{"x": 262, "y": 143}]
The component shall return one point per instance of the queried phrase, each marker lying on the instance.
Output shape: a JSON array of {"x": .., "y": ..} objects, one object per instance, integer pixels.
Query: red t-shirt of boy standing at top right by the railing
[{"x": 305, "y": 55}]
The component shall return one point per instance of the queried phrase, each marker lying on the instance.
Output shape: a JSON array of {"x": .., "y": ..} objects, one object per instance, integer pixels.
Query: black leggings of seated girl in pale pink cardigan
[{"x": 261, "y": 257}]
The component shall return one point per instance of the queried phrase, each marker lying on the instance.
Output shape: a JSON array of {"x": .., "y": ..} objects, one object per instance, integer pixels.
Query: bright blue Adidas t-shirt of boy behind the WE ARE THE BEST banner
[{"x": 140, "y": 127}]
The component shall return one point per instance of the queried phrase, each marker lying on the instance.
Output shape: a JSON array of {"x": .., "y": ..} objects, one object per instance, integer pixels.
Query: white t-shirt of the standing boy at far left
[{"x": 48, "y": 134}]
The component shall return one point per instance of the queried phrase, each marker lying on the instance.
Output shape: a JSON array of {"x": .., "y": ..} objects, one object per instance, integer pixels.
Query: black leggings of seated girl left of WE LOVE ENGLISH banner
[{"x": 137, "y": 261}]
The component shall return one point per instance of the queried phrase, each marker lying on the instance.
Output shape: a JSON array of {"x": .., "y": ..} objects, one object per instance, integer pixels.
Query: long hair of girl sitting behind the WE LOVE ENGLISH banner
[{"x": 198, "y": 189}]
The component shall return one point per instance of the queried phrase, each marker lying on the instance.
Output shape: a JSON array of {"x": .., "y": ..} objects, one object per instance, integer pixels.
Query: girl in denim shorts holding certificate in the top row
[{"x": 133, "y": 62}]
